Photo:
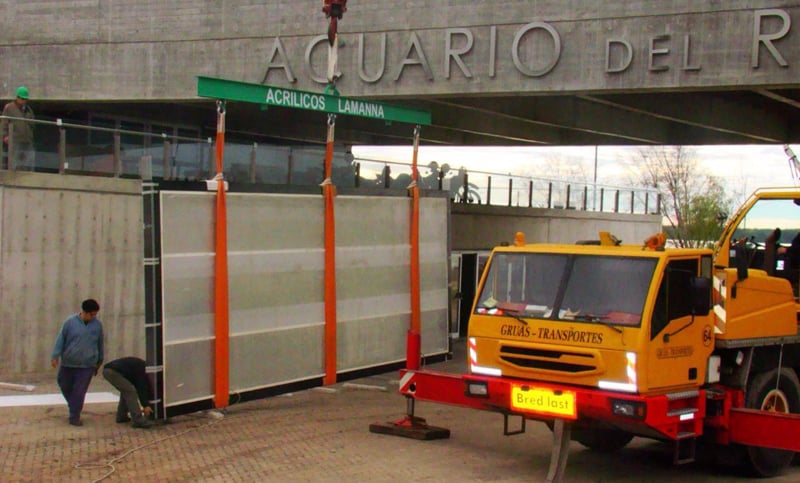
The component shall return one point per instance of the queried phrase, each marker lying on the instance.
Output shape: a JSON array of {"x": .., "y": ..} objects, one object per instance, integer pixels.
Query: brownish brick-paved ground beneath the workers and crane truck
[{"x": 315, "y": 435}]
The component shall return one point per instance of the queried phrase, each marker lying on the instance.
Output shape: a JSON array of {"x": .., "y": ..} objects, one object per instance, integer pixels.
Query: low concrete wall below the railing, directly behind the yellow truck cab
[{"x": 481, "y": 227}]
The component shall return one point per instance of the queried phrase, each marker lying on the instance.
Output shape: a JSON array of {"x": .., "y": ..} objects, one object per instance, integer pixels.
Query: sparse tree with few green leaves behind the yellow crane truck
[{"x": 693, "y": 203}]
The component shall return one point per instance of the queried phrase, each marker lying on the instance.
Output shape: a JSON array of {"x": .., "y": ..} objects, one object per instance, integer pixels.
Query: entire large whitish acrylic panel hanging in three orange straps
[{"x": 276, "y": 287}]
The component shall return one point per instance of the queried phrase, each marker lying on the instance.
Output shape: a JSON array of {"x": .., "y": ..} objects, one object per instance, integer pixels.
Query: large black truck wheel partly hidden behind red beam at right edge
[{"x": 777, "y": 391}]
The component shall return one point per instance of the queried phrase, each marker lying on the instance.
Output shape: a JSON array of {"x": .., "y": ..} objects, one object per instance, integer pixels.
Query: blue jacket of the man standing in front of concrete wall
[{"x": 79, "y": 344}]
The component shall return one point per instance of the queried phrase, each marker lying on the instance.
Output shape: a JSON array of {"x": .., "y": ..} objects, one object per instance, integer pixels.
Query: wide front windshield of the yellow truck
[{"x": 602, "y": 289}]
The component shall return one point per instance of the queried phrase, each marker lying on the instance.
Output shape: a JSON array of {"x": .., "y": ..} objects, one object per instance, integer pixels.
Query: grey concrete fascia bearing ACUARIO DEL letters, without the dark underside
[{"x": 146, "y": 50}]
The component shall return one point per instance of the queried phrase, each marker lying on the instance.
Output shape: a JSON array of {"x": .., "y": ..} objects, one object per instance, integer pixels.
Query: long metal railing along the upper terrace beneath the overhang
[{"x": 74, "y": 148}]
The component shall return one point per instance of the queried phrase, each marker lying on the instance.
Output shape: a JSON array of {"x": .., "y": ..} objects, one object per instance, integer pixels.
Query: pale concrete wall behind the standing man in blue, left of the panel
[{"x": 64, "y": 239}]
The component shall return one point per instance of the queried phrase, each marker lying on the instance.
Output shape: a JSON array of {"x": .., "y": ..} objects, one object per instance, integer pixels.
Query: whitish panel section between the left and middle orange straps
[{"x": 276, "y": 282}]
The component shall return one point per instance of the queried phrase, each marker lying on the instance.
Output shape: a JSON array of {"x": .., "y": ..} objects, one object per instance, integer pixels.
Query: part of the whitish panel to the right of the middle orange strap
[{"x": 373, "y": 285}]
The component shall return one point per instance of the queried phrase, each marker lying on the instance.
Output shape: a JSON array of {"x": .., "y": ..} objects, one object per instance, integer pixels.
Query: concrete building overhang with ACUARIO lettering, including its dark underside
[{"x": 503, "y": 72}]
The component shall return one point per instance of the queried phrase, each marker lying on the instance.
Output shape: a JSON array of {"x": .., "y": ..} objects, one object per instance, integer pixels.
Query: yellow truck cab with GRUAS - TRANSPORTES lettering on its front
[{"x": 622, "y": 318}]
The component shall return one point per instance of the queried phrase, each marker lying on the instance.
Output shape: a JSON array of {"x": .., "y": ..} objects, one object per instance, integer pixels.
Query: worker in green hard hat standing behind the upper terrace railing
[{"x": 18, "y": 134}]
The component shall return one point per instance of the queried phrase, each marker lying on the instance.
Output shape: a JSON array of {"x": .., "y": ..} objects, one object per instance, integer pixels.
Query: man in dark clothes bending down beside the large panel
[{"x": 129, "y": 377}]
